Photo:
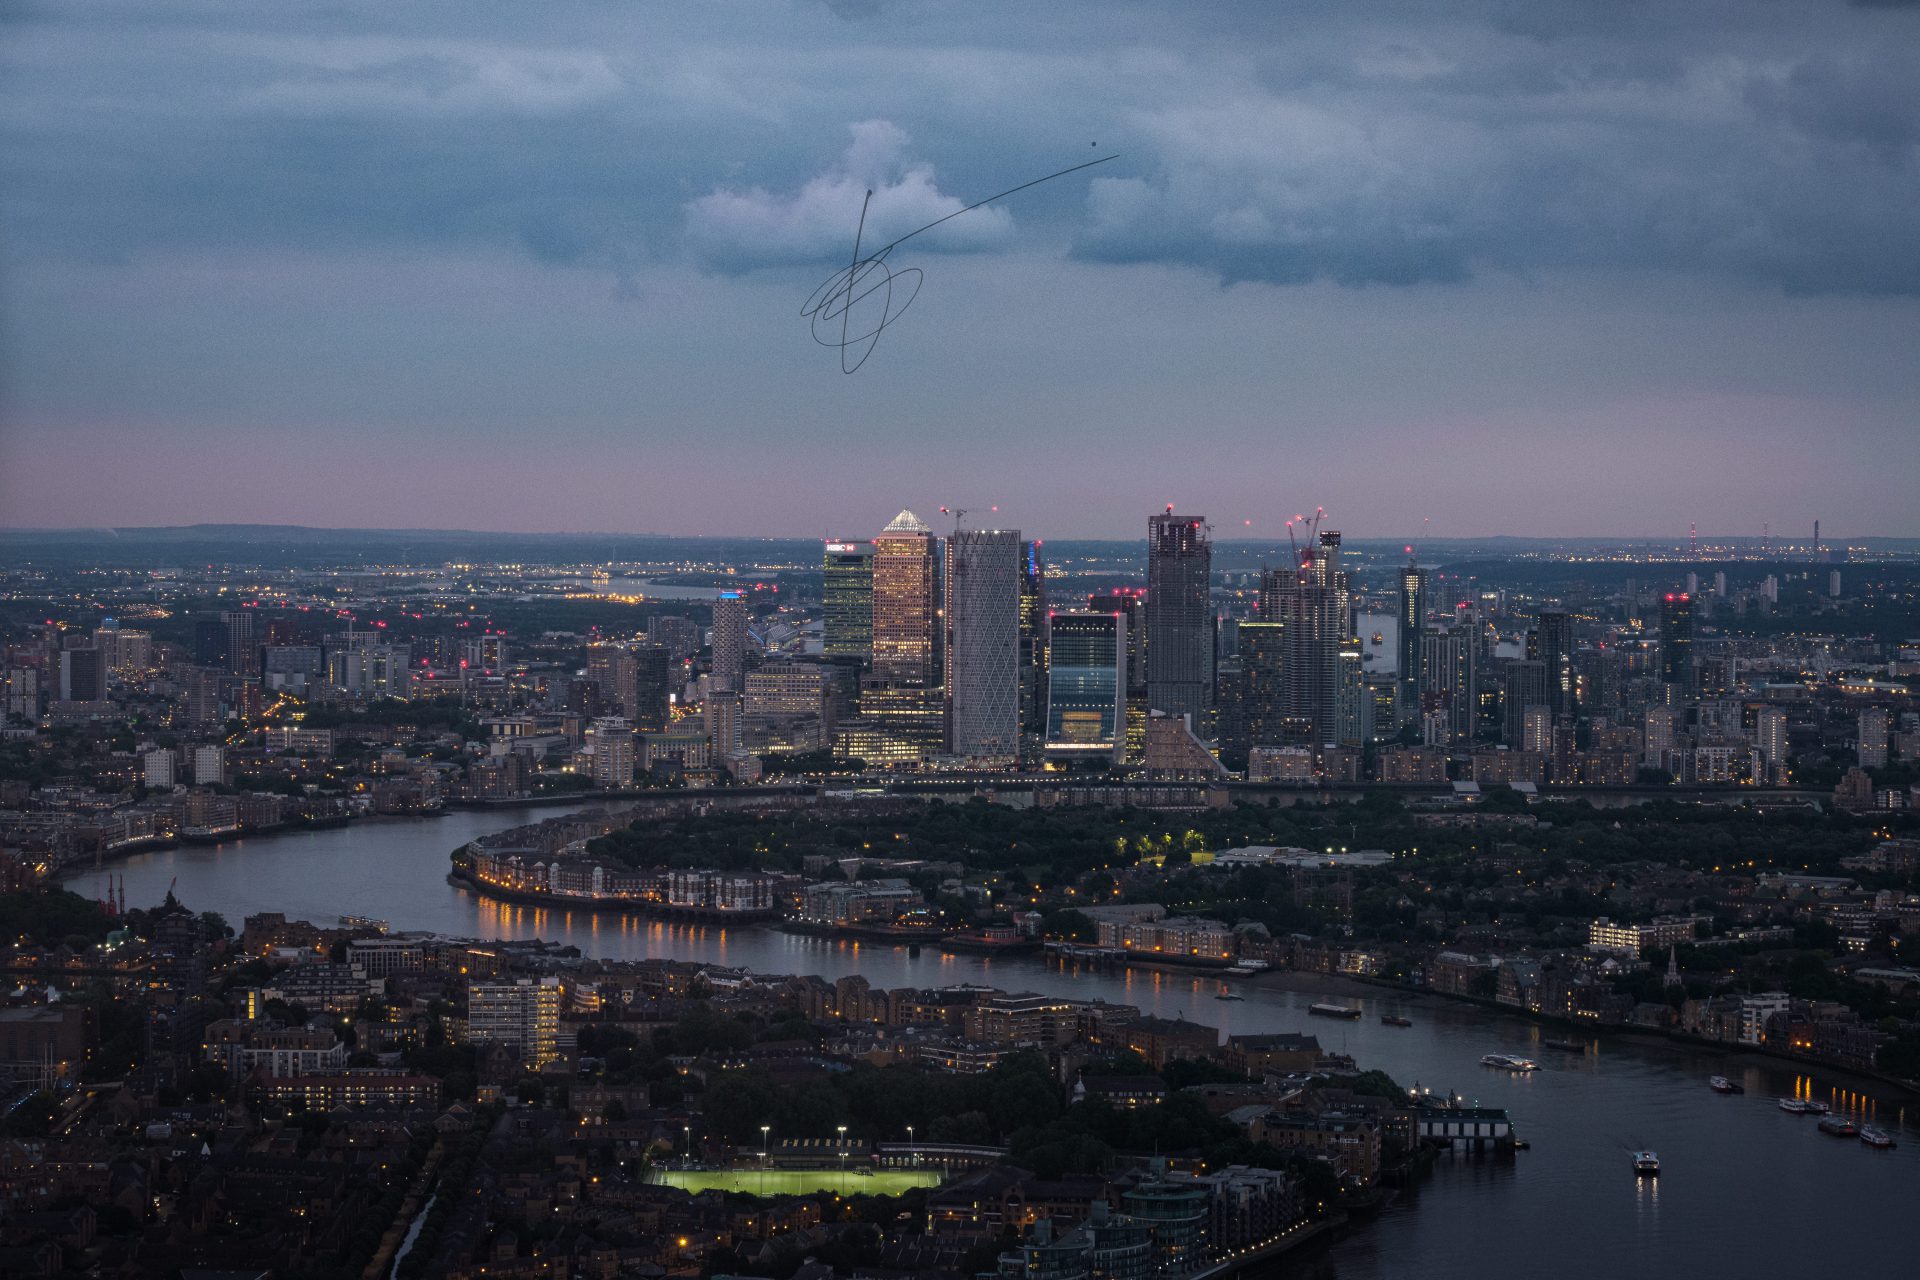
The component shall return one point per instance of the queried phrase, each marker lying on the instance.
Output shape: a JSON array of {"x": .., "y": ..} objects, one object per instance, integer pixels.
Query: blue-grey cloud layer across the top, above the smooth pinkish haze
[{"x": 1322, "y": 141}]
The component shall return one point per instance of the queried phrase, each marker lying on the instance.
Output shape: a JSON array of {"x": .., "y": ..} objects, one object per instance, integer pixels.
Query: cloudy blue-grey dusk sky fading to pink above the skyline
[{"x": 1481, "y": 268}]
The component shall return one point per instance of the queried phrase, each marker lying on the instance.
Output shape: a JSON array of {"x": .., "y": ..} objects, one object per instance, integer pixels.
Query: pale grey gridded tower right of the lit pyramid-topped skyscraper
[{"x": 982, "y": 588}]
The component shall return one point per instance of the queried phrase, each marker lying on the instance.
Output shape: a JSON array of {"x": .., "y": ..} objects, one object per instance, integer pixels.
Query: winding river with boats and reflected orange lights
[{"x": 1744, "y": 1189}]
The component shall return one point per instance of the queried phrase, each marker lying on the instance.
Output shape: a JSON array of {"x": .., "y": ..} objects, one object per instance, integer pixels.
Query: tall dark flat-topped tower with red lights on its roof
[{"x": 1180, "y": 619}]
